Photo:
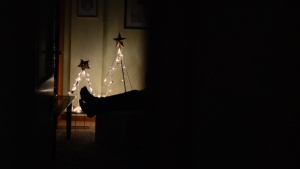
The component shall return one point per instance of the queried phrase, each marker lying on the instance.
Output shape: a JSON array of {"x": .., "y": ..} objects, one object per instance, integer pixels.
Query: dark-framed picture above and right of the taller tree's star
[{"x": 135, "y": 14}]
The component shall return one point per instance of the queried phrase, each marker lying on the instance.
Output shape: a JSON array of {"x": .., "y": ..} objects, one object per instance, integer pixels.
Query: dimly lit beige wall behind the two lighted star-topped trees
[{"x": 92, "y": 39}]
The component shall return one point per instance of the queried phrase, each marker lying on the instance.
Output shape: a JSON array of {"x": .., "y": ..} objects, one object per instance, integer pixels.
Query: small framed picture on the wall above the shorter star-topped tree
[{"x": 87, "y": 8}]
